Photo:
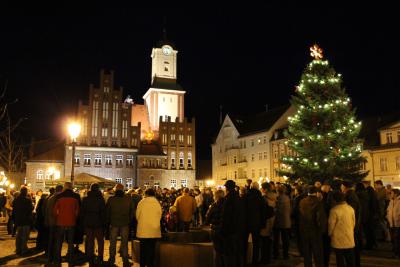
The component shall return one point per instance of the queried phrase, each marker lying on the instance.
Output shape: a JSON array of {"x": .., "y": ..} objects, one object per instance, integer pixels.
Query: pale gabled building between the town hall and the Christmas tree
[{"x": 243, "y": 147}]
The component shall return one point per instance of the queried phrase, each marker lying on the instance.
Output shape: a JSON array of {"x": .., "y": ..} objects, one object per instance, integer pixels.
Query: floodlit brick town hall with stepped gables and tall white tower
[{"x": 150, "y": 144}]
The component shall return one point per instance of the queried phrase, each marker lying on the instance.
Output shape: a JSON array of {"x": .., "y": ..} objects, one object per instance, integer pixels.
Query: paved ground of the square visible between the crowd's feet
[{"x": 376, "y": 258}]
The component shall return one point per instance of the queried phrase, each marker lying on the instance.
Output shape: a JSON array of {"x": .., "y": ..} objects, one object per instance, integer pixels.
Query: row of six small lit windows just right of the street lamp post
[{"x": 108, "y": 160}]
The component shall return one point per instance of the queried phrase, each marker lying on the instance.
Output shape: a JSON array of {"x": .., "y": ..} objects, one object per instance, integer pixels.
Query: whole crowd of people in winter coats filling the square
[{"x": 339, "y": 218}]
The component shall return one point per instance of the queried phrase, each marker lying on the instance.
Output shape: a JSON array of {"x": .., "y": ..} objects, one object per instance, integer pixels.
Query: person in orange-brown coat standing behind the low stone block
[{"x": 185, "y": 207}]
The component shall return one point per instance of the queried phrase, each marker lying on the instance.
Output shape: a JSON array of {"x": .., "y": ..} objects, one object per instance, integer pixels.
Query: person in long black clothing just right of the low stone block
[{"x": 233, "y": 226}]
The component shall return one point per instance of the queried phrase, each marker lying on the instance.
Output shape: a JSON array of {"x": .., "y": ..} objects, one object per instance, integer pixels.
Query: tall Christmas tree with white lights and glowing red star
[{"x": 323, "y": 132}]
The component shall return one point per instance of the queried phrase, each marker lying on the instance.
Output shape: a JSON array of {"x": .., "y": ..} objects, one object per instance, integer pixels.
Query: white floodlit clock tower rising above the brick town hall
[{"x": 165, "y": 97}]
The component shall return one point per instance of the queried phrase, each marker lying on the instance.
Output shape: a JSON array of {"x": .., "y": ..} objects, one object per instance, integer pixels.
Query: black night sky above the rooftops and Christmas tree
[{"x": 240, "y": 59}]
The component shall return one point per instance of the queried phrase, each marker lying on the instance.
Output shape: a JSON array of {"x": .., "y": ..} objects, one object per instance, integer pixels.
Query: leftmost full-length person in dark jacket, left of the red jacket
[{"x": 22, "y": 208}]
